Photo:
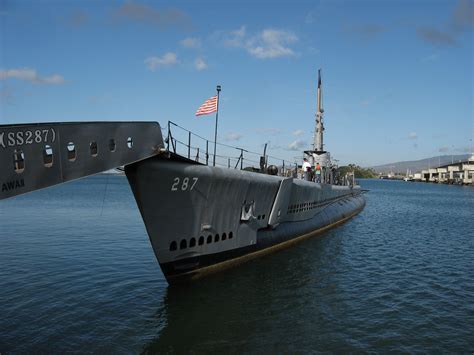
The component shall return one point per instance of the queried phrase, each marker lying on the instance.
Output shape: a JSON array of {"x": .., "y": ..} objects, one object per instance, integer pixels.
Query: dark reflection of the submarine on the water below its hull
[{"x": 239, "y": 307}]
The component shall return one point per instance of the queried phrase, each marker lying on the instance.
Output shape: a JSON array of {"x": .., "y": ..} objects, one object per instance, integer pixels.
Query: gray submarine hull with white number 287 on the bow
[{"x": 201, "y": 219}]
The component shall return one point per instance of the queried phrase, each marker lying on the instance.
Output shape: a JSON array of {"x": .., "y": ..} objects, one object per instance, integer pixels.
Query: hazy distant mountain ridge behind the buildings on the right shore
[{"x": 418, "y": 165}]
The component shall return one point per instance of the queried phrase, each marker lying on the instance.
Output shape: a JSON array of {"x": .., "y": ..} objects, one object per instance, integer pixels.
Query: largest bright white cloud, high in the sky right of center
[{"x": 271, "y": 43}]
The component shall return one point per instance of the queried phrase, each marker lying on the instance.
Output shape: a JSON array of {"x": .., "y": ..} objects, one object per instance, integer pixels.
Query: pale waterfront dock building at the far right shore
[{"x": 455, "y": 173}]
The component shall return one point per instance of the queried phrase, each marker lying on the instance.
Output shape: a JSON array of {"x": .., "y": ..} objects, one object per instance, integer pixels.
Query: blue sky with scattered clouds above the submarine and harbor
[{"x": 397, "y": 75}]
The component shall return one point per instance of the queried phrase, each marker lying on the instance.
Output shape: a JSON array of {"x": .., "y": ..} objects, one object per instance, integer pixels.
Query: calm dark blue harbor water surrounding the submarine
[{"x": 77, "y": 273}]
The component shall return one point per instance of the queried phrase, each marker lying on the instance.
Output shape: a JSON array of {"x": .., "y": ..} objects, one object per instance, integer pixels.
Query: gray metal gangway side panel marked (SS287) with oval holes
[{"x": 36, "y": 156}]
